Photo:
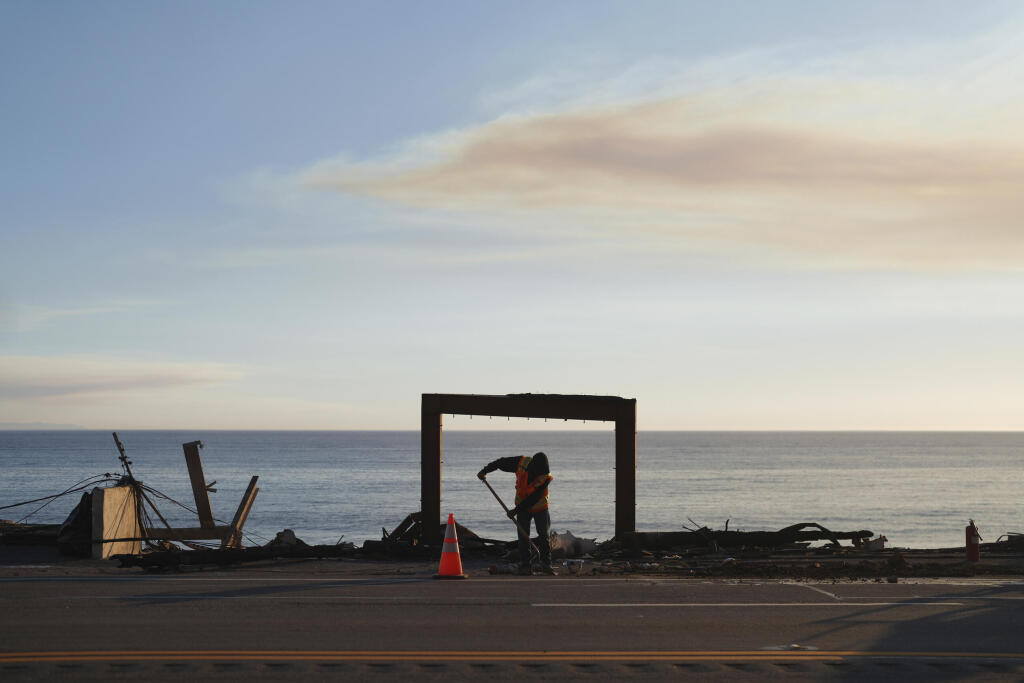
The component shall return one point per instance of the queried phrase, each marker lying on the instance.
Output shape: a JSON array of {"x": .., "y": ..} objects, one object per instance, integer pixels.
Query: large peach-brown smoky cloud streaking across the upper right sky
[{"x": 851, "y": 166}]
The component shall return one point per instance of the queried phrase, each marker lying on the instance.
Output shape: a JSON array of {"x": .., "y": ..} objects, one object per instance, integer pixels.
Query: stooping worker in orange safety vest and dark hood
[{"x": 533, "y": 476}]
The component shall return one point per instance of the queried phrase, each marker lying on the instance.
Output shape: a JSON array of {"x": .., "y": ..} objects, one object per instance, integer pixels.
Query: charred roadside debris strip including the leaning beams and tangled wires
[{"x": 117, "y": 517}]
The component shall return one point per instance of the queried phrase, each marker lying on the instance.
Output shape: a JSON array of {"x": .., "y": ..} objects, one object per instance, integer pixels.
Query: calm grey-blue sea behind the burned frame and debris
[{"x": 917, "y": 489}]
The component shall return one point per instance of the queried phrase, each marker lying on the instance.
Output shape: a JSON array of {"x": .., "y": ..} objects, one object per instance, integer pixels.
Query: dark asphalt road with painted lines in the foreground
[{"x": 293, "y": 624}]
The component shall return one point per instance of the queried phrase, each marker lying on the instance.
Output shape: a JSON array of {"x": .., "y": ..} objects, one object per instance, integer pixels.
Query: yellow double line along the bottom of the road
[{"x": 478, "y": 656}]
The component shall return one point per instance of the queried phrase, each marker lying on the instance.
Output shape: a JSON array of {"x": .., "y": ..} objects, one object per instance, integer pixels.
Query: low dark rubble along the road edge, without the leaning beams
[{"x": 699, "y": 552}]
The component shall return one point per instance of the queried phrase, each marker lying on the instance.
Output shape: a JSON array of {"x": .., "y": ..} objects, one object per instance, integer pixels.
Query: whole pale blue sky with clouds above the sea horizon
[{"x": 745, "y": 216}]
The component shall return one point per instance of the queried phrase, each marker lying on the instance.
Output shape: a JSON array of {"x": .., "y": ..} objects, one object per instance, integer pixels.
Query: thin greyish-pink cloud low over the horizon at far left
[{"x": 32, "y": 377}]
